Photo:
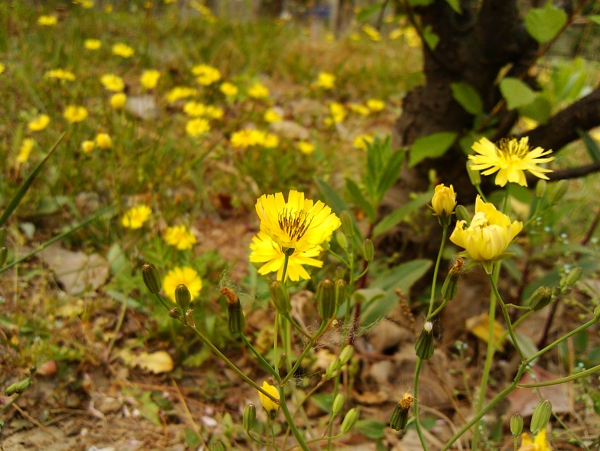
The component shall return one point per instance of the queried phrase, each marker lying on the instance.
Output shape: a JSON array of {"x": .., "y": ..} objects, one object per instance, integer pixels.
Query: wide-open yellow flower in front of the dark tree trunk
[{"x": 510, "y": 158}]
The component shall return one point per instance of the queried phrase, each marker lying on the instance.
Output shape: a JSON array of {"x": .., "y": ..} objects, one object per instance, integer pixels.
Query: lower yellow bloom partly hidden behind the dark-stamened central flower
[{"x": 267, "y": 251}]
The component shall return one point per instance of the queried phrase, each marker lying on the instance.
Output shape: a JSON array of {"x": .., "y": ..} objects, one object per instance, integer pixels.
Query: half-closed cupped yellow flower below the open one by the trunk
[{"x": 488, "y": 235}]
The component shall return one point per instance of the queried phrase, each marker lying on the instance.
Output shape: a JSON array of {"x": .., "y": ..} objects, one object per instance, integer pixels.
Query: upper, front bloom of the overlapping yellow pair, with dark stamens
[{"x": 298, "y": 223}]
